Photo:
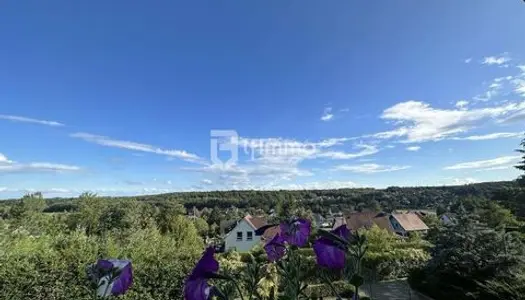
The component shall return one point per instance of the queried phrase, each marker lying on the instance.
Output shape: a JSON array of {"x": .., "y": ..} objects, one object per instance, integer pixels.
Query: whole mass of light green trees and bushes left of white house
[{"x": 44, "y": 256}]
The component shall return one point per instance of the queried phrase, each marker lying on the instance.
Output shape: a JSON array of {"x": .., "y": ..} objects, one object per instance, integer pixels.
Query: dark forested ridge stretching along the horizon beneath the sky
[{"x": 508, "y": 193}]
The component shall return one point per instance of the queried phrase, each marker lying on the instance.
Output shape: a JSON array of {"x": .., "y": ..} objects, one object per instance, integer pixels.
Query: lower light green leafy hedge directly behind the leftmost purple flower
[{"x": 53, "y": 266}]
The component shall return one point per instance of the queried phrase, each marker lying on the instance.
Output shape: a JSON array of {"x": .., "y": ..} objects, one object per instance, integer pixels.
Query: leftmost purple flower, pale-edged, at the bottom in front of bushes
[{"x": 116, "y": 277}]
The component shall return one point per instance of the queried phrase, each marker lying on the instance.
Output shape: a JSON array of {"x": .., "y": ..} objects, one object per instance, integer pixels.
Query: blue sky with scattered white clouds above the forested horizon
[{"x": 119, "y": 97}]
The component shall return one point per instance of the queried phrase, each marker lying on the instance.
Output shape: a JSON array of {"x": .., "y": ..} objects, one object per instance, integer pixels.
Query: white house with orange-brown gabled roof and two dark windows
[{"x": 242, "y": 236}]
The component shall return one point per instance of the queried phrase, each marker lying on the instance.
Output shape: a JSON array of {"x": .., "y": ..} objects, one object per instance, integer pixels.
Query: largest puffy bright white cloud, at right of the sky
[{"x": 419, "y": 122}]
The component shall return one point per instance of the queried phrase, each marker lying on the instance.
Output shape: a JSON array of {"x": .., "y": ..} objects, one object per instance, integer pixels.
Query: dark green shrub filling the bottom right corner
[{"x": 471, "y": 261}]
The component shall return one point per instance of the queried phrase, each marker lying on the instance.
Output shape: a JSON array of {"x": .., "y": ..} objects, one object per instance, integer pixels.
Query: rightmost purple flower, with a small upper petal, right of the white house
[{"x": 328, "y": 253}]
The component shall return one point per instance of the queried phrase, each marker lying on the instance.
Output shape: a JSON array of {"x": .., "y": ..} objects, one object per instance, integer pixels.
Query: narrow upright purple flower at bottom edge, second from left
[{"x": 196, "y": 286}]
